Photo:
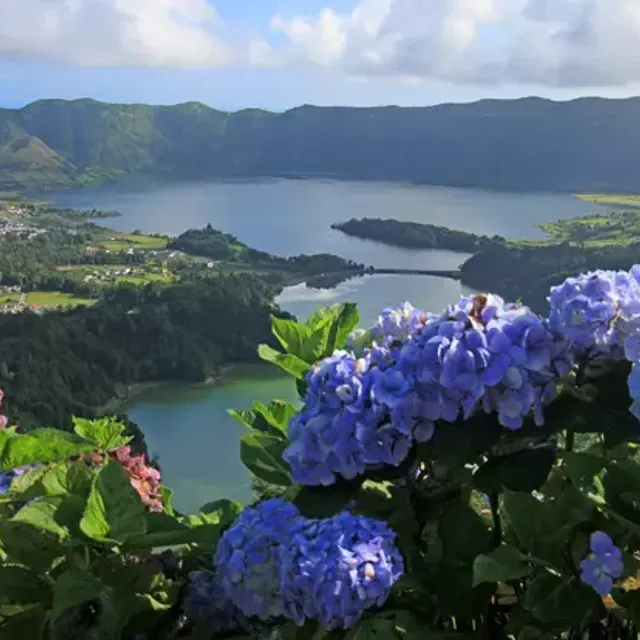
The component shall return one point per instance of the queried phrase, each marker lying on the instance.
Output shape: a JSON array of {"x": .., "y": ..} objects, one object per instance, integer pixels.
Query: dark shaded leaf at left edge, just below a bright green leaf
[{"x": 31, "y": 547}]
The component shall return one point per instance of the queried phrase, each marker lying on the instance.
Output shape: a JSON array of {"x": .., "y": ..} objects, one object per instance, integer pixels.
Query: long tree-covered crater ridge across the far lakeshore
[{"x": 531, "y": 143}]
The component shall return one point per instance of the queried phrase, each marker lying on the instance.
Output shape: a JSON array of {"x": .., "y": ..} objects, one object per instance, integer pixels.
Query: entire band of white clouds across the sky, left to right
[{"x": 544, "y": 42}]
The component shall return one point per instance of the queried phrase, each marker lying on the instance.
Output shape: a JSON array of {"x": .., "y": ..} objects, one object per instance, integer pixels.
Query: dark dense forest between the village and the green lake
[{"x": 56, "y": 365}]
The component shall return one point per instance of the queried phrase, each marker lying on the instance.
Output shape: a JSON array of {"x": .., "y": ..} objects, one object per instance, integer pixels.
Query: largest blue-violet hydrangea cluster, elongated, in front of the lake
[{"x": 415, "y": 369}]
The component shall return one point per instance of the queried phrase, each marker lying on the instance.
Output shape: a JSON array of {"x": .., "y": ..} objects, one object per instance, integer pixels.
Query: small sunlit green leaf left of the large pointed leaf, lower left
[{"x": 59, "y": 515}]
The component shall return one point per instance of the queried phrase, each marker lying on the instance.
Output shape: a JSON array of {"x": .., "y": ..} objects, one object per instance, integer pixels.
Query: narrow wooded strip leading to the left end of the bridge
[{"x": 215, "y": 244}]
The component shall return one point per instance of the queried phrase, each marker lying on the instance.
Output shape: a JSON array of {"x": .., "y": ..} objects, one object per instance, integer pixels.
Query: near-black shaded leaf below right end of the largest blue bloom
[{"x": 523, "y": 471}]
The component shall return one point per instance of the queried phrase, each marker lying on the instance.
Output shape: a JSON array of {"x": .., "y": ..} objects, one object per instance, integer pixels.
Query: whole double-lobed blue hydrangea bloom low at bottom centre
[{"x": 274, "y": 562}]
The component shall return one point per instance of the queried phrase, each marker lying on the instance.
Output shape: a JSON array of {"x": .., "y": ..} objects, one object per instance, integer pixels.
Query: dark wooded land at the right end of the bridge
[{"x": 526, "y": 273}]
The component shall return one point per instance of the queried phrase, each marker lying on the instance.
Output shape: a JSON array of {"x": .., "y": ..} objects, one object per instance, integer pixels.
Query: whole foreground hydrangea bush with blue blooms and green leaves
[{"x": 470, "y": 473}]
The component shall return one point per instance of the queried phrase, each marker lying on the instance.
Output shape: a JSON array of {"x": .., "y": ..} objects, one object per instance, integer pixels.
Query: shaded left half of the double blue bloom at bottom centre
[{"x": 249, "y": 558}]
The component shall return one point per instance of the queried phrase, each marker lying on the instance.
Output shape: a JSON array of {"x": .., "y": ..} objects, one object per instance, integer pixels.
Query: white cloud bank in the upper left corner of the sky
[{"x": 113, "y": 32}]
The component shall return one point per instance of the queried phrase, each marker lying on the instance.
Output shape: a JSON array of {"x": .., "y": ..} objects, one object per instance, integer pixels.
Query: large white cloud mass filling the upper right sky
[{"x": 545, "y": 42}]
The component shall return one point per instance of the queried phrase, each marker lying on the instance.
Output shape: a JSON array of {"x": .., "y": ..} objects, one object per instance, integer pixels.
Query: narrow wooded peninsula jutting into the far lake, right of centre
[{"x": 415, "y": 235}]
